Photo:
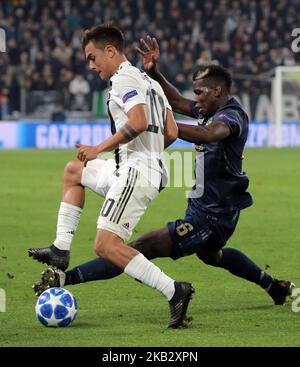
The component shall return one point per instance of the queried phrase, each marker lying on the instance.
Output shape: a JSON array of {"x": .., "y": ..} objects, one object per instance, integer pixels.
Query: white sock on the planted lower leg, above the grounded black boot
[{"x": 144, "y": 270}]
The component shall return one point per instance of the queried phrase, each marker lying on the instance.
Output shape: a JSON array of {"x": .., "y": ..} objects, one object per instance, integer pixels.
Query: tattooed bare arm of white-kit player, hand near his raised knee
[{"x": 136, "y": 124}]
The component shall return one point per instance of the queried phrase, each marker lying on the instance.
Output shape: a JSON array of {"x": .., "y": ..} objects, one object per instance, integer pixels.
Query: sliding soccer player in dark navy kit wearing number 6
[{"x": 219, "y": 193}]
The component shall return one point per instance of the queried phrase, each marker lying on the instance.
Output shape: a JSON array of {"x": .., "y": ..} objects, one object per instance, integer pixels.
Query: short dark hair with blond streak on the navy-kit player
[{"x": 214, "y": 74}]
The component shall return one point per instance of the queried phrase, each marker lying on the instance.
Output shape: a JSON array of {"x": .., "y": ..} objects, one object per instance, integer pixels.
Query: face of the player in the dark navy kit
[{"x": 206, "y": 97}]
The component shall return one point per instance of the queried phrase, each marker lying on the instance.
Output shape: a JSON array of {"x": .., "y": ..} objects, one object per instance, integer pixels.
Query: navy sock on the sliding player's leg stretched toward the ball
[{"x": 96, "y": 269}]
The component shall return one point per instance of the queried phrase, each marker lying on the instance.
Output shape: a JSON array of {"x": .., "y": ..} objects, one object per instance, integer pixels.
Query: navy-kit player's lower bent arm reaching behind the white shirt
[{"x": 215, "y": 131}]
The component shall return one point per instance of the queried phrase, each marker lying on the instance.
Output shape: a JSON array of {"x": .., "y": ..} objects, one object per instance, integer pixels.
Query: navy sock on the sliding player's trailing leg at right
[{"x": 240, "y": 265}]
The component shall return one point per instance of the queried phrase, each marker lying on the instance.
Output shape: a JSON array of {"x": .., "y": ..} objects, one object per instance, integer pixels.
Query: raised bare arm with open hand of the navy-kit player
[{"x": 150, "y": 54}]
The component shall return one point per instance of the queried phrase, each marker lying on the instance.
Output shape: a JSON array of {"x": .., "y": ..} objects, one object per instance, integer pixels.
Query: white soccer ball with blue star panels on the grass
[{"x": 56, "y": 307}]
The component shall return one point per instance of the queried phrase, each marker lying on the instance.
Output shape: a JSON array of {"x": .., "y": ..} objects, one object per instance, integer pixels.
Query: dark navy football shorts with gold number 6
[{"x": 200, "y": 230}]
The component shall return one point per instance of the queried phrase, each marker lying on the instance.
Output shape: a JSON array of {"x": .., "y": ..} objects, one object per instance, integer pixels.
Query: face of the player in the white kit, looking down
[{"x": 99, "y": 60}]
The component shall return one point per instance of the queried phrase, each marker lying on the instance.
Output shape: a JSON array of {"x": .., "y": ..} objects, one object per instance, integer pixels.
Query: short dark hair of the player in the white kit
[{"x": 103, "y": 35}]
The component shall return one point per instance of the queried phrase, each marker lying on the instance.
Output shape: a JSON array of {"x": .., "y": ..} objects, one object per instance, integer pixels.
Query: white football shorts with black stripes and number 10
[{"x": 127, "y": 194}]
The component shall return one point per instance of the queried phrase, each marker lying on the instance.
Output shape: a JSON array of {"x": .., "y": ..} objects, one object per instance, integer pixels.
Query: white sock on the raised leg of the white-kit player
[{"x": 67, "y": 222}]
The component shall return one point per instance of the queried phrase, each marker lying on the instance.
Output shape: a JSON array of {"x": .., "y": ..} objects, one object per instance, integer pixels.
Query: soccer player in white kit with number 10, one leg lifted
[{"x": 142, "y": 126}]
